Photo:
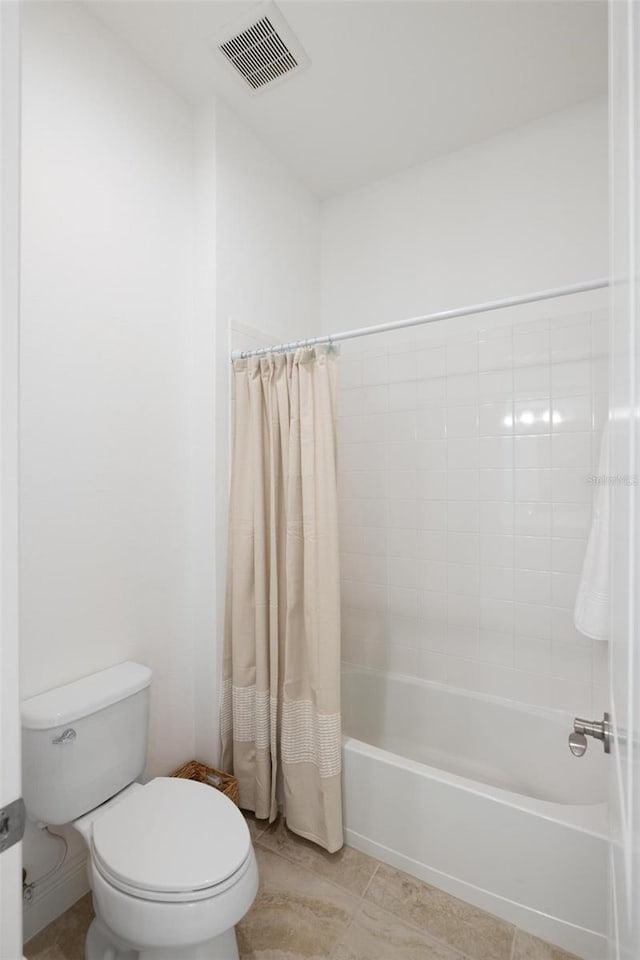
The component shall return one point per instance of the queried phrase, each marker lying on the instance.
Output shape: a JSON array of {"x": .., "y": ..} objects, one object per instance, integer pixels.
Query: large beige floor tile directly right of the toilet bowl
[{"x": 297, "y": 915}]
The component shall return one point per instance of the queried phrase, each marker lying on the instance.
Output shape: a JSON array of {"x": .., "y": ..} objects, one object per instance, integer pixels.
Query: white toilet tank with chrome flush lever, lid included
[{"x": 84, "y": 742}]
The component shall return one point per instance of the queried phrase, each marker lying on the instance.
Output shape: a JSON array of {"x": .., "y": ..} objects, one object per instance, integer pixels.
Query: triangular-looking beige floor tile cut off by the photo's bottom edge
[{"x": 375, "y": 934}]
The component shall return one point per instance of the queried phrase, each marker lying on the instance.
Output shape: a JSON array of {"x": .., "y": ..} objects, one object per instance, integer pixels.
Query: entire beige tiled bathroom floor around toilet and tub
[{"x": 346, "y": 906}]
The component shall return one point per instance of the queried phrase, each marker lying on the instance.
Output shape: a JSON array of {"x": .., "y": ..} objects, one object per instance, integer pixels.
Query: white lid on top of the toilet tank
[{"x": 83, "y": 697}]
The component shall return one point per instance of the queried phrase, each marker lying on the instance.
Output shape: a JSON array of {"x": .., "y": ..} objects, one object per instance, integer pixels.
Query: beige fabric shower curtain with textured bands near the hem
[{"x": 281, "y": 698}]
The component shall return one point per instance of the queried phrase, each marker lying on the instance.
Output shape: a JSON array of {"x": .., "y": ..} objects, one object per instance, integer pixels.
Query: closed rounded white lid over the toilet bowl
[{"x": 172, "y": 836}]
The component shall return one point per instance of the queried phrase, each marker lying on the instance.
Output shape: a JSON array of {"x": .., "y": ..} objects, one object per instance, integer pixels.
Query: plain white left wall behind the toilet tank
[{"x": 108, "y": 531}]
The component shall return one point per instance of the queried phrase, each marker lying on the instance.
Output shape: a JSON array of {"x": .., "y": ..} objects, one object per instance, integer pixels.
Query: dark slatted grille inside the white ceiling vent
[{"x": 259, "y": 54}]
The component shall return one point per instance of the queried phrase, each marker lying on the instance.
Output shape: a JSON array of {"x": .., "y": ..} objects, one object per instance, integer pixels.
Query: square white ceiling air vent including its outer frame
[{"x": 262, "y": 48}]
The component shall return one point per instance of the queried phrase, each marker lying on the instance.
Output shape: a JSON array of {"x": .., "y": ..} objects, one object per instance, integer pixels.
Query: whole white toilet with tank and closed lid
[{"x": 171, "y": 864}]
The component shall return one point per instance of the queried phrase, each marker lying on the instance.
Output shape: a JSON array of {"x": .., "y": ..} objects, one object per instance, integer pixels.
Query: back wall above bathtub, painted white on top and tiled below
[{"x": 465, "y": 445}]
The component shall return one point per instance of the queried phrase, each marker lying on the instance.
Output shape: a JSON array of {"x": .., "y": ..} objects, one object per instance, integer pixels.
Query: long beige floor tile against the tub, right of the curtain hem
[{"x": 472, "y": 931}]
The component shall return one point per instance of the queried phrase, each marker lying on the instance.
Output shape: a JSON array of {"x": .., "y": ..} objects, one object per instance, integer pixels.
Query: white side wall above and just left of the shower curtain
[{"x": 268, "y": 278}]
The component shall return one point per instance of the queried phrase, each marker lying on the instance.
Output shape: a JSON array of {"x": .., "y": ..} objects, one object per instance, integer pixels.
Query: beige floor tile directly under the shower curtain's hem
[{"x": 347, "y": 868}]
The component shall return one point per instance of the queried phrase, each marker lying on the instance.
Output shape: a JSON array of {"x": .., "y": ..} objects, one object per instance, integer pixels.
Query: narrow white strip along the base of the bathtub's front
[{"x": 582, "y": 942}]
